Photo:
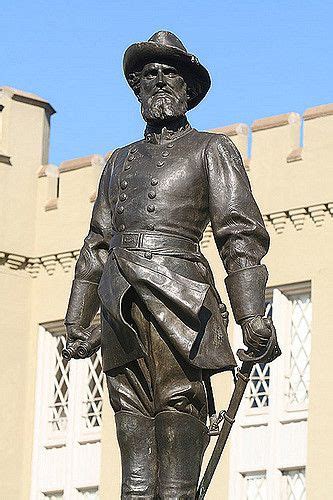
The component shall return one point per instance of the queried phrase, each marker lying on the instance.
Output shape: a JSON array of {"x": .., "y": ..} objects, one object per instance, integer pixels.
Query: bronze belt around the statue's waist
[{"x": 152, "y": 241}]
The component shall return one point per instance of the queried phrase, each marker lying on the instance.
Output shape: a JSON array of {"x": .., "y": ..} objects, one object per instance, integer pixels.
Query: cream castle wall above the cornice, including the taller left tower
[{"x": 288, "y": 158}]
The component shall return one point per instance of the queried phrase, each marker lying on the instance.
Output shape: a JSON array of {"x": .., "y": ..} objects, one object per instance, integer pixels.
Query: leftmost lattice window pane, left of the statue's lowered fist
[{"x": 58, "y": 407}]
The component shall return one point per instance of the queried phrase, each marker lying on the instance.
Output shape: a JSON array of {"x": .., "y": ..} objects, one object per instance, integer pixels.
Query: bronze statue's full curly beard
[{"x": 161, "y": 108}]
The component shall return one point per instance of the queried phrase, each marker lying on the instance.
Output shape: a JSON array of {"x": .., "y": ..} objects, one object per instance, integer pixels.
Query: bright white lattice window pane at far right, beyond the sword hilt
[{"x": 299, "y": 361}]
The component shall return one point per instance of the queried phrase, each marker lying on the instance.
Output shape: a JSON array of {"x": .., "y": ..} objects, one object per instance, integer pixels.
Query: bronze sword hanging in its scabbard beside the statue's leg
[{"x": 228, "y": 417}]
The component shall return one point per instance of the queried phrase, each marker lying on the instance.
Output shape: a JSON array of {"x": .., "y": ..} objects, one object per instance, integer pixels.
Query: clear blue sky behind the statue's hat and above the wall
[{"x": 264, "y": 57}]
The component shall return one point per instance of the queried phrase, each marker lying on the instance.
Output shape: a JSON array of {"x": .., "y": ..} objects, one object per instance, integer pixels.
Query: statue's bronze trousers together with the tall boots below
[{"x": 160, "y": 411}]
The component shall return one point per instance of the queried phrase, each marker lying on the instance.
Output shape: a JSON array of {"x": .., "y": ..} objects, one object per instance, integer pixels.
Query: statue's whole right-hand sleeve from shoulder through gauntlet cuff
[{"x": 238, "y": 228}]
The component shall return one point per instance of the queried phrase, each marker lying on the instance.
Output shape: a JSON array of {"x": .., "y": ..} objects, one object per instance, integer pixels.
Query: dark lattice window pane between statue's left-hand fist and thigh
[{"x": 92, "y": 405}]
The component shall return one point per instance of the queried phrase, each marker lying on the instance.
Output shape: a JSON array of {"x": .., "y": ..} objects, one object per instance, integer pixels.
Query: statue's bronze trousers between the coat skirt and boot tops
[{"x": 159, "y": 381}]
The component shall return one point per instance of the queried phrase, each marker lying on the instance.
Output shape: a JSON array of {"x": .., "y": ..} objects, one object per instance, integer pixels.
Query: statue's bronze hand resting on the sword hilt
[{"x": 256, "y": 333}]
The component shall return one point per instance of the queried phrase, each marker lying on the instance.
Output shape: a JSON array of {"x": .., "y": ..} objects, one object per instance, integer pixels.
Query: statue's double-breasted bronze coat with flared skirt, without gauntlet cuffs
[{"x": 174, "y": 183}]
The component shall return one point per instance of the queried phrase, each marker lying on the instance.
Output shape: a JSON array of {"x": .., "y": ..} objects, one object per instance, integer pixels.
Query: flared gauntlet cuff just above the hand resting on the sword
[{"x": 246, "y": 291}]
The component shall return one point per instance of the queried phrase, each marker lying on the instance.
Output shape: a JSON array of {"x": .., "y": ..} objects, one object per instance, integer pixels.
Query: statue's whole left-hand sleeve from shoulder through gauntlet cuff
[{"x": 84, "y": 301}]
